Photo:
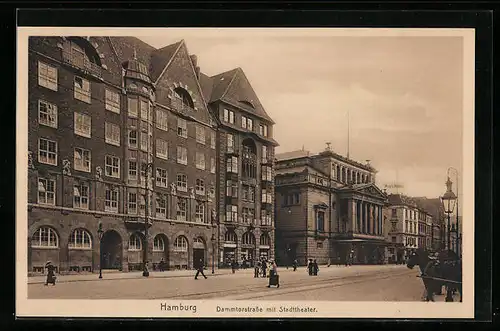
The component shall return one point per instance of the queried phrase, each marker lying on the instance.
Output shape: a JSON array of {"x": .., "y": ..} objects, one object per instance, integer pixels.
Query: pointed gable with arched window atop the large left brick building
[{"x": 180, "y": 74}]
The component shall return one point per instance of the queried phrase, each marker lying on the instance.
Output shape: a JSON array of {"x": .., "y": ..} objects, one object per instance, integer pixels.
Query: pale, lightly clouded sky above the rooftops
[{"x": 403, "y": 96}]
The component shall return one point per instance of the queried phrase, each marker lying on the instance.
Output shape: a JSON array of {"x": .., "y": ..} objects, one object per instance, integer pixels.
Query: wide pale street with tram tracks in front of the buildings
[{"x": 336, "y": 283}]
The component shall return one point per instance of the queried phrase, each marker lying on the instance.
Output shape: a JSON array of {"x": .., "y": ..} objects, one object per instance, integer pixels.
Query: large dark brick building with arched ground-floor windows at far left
[{"x": 120, "y": 133}]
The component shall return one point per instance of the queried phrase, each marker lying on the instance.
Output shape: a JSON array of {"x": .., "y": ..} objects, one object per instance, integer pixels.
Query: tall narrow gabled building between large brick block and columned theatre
[{"x": 245, "y": 157}]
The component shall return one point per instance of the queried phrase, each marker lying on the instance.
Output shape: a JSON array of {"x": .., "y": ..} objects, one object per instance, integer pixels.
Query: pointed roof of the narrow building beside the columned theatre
[{"x": 241, "y": 93}]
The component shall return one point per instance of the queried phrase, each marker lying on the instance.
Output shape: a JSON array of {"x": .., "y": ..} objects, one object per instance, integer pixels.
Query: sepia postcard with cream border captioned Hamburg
[{"x": 271, "y": 172}]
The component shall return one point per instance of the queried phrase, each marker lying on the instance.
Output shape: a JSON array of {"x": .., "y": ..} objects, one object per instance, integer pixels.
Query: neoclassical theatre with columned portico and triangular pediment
[{"x": 328, "y": 206}]
